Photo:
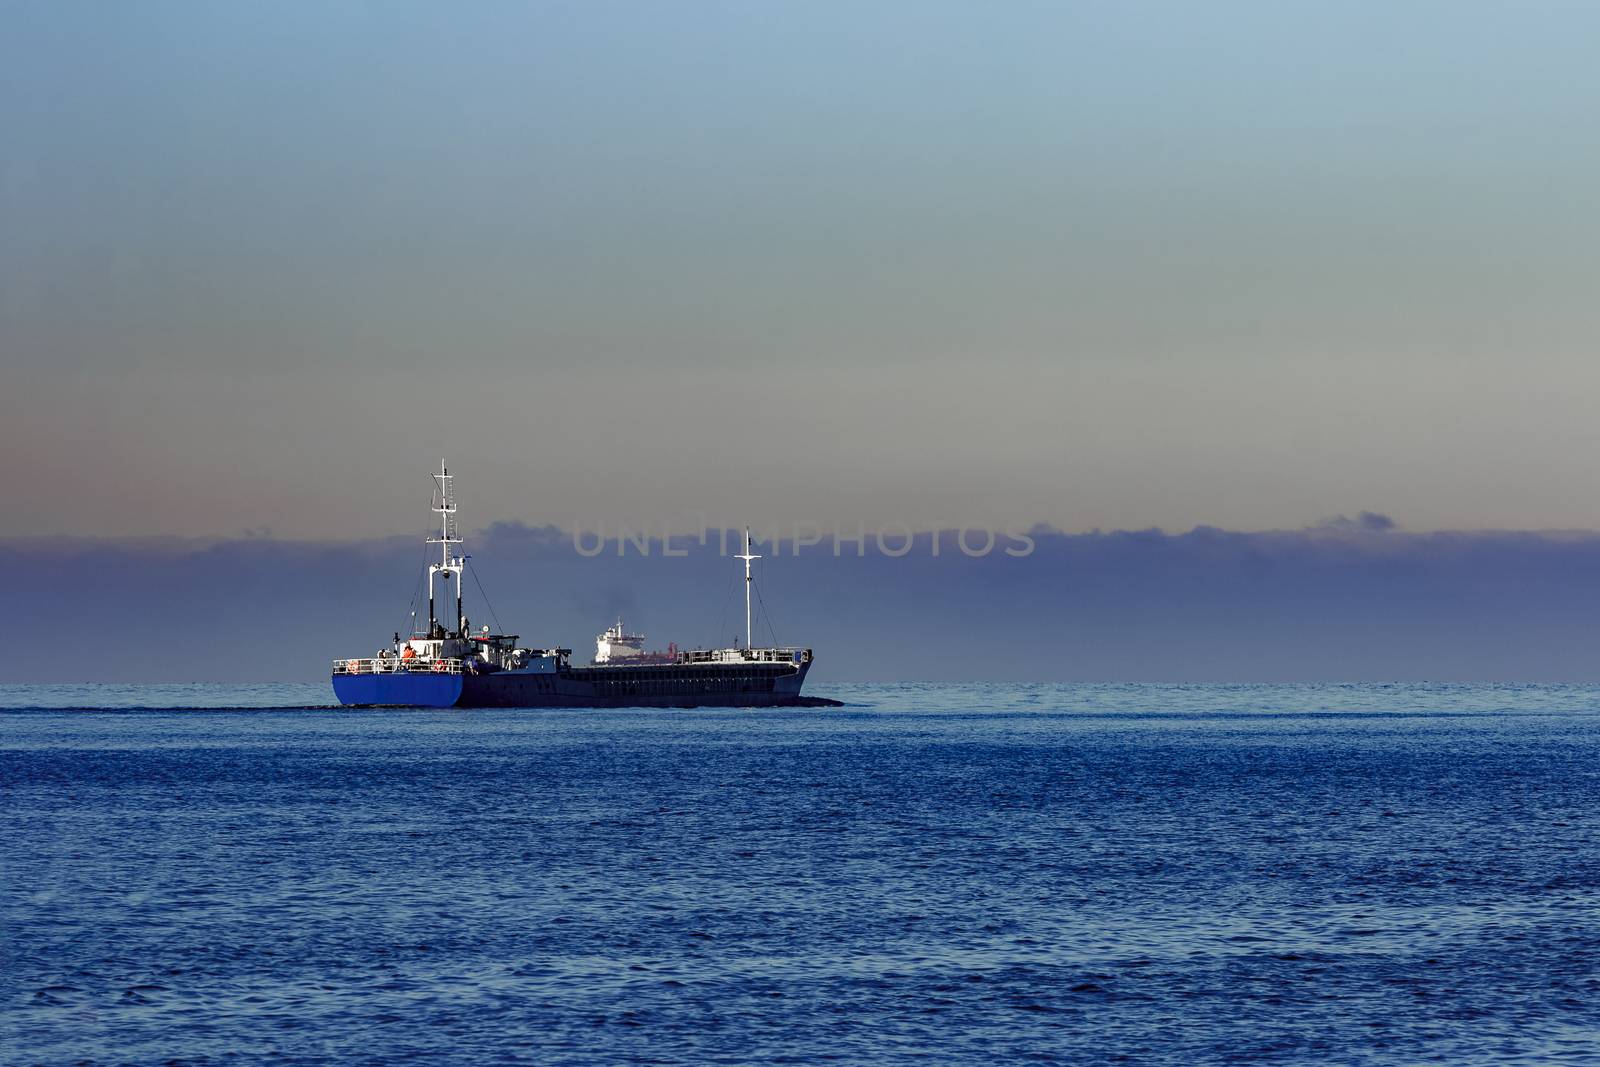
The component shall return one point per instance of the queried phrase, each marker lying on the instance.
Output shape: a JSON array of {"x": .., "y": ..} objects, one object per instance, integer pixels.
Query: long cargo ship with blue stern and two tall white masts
[{"x": 452, "y": 666}]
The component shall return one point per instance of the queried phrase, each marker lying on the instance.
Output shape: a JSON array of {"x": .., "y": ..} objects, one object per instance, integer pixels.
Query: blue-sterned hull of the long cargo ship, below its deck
[{"x": 742, "y": 685}]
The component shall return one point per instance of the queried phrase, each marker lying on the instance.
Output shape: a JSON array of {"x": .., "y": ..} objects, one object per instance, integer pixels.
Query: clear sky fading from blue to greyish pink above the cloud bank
[{"x": 1095, "y": 265}]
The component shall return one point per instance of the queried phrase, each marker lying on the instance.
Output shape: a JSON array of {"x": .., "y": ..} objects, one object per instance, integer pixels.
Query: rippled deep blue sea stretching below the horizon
[{"x": 932, "y": 874}]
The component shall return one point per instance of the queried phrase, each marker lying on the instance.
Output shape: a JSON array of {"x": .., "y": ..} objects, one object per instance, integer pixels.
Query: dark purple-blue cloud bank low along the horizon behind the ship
[{"x": 1356, "y": 601}]
